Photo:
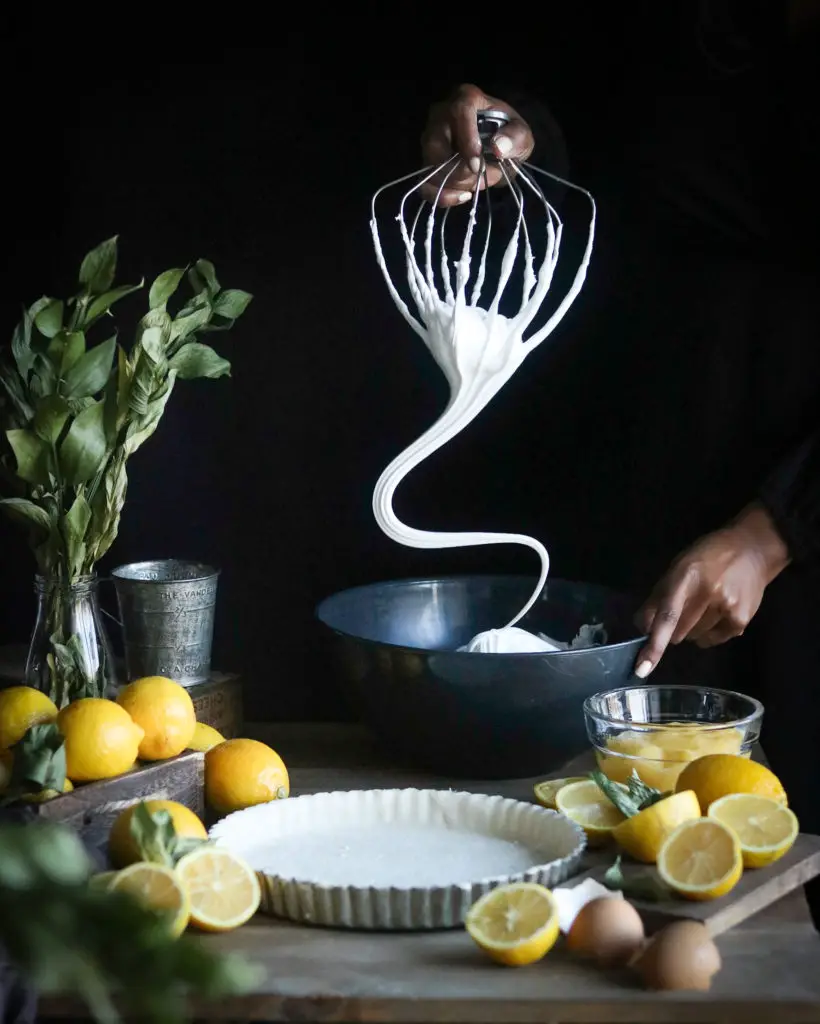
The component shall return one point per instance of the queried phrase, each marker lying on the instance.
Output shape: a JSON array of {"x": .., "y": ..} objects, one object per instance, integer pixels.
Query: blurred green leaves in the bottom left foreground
[{"x": 67, "y": 937}]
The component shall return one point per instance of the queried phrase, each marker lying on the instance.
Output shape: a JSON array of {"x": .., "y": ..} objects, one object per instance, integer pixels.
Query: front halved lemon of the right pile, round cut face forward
[{"x": 701, "y": 861}]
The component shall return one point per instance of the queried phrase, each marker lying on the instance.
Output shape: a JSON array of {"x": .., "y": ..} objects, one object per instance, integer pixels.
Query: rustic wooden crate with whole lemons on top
[{"x": 91, "y": 809}]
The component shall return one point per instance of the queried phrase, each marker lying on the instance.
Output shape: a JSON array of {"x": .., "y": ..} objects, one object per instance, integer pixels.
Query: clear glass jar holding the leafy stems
[{"x": 70, "y": 656}]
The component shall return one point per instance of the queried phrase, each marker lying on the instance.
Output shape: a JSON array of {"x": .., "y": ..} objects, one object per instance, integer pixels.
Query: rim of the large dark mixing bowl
[{"x": 507, "y": 577}]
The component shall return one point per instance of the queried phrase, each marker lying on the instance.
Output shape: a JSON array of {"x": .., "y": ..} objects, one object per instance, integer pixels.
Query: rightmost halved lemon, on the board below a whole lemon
[{"x": 765, "y": 828}]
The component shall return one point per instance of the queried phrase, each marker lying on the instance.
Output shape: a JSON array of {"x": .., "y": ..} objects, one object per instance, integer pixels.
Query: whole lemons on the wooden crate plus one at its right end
[{"x": 153, "y": 719}]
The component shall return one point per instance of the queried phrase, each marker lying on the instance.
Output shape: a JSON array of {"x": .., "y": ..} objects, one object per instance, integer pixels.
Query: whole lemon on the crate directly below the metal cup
[{"x": 165, "y": 712}]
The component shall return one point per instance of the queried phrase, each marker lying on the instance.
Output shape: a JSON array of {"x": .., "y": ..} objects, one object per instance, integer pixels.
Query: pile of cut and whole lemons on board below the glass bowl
[{"x": 727, "y": 815}]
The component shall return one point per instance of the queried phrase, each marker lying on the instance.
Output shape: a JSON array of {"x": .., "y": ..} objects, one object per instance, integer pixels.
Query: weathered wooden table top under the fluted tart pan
[{"x": 771, "y": 963}]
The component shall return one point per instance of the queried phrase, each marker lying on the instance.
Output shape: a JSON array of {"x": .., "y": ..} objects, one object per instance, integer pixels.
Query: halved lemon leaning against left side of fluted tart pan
[{"x": 224, "y": 890}]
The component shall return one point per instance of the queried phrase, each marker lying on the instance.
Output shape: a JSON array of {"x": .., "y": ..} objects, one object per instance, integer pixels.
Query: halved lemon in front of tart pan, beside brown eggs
[{"x": 516, "y": 924}]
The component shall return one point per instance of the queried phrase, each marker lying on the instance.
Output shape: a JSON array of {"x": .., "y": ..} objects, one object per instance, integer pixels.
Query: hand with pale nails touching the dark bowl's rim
[{"x": 712, "y": 592}]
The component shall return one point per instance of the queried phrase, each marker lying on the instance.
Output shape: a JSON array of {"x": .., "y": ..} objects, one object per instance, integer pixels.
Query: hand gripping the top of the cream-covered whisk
[{"x": 452, "y": 129}]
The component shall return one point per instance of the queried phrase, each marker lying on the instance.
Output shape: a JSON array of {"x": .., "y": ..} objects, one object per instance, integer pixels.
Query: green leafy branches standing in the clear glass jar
[{"x": 72, "y": 413}]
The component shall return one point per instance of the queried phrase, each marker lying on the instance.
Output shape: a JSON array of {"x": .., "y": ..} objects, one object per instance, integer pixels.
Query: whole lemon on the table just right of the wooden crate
[{"x": 241, "y": 774}]
